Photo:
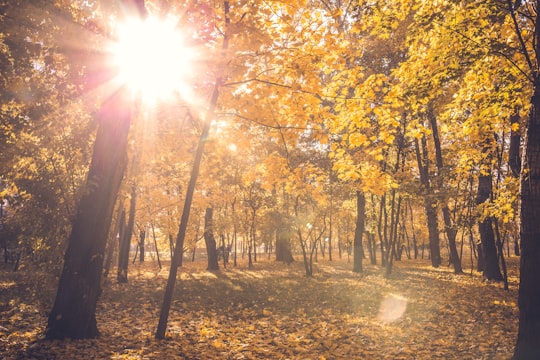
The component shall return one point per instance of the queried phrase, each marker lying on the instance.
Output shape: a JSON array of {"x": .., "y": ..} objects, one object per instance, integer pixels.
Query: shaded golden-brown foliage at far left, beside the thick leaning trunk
[{"x": 45, "y": 133}]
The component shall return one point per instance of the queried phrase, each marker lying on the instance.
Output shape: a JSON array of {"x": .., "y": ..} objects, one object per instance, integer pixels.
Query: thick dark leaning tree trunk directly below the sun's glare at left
[{"x": 74, "y": 311}]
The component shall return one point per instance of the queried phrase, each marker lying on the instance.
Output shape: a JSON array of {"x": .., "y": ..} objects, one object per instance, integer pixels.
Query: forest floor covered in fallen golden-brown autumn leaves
[{"x": 274, "y": 311}]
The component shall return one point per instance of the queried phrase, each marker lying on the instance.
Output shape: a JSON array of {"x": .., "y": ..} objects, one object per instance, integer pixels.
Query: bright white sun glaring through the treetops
[{"x": 151, "y": 58}]
